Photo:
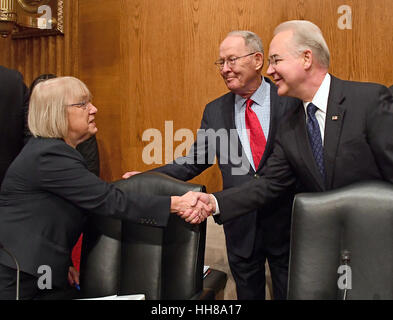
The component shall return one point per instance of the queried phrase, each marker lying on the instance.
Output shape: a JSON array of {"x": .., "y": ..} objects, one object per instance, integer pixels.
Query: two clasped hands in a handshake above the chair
[{"x": 193, "y": 207}]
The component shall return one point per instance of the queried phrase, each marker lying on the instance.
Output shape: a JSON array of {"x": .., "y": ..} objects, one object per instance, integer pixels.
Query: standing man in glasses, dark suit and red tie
[{"x": 254, "y": 238}]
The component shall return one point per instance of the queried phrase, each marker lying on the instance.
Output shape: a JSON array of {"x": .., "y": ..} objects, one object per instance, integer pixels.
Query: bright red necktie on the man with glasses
[{"x": 255, "y": 134}]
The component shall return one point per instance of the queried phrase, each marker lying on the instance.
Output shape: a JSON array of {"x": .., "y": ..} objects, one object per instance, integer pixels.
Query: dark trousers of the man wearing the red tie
[{"x": 249, "y": 273}]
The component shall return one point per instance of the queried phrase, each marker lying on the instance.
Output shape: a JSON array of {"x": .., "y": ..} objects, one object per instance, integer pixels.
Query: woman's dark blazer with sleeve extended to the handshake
[{"x": 43, "y": 202}]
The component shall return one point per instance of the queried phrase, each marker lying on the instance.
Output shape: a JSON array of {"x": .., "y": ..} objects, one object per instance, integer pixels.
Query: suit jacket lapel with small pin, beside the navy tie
[{"x": 333, "y": 125}]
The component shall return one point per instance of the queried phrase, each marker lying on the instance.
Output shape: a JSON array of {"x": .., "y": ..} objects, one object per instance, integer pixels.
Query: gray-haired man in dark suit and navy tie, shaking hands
[{"x": 341, "y": 133}]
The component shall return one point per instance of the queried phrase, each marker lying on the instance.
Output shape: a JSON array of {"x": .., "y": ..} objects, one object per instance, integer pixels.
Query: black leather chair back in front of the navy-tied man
[{"x": 356, "y": 218}]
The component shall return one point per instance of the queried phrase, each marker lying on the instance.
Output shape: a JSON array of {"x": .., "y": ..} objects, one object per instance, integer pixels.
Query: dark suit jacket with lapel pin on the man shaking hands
[{"x": 358, "y": 146}]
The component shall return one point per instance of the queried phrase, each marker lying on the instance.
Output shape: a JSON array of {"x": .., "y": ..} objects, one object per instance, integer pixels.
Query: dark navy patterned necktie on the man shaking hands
[{"x": 314, "y": 135}]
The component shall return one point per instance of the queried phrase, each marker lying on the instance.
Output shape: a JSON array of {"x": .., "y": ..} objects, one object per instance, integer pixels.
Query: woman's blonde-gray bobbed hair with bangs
[{"x": 48, "y": 117}]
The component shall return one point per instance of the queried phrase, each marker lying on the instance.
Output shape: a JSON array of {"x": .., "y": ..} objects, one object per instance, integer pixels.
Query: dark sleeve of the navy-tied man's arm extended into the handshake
[{"x": 276, "y": 178}]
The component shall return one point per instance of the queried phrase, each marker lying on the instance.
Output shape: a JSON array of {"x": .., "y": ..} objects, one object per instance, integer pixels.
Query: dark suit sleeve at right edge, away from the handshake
[{"x": 380, "y": 125}]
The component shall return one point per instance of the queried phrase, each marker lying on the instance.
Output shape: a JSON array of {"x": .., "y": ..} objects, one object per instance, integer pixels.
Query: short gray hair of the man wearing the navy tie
[{"x": 306, "y": 35}]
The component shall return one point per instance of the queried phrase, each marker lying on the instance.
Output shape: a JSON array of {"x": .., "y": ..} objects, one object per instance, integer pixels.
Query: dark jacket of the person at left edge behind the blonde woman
[{"x": 14, "y": 100}]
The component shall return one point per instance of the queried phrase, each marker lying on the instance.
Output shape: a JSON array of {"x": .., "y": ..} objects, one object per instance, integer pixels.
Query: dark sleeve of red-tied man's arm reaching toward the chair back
[{"x": 199, "y": 158}]
